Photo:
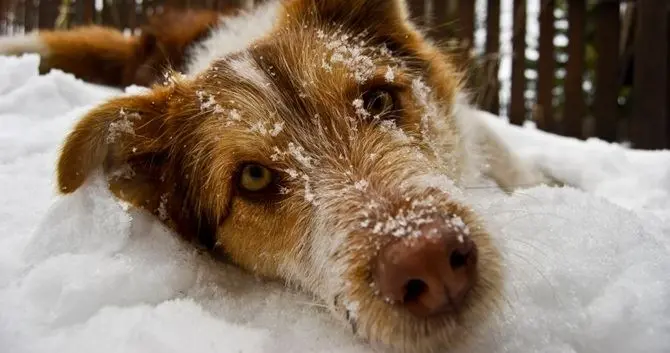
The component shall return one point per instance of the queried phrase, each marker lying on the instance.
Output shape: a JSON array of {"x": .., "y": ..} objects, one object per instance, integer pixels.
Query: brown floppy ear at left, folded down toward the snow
[{"x": 124, "y": 135}]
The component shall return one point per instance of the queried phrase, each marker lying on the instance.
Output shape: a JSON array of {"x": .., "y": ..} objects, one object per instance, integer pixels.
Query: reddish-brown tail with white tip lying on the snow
[{"x": 92, "y": 53}]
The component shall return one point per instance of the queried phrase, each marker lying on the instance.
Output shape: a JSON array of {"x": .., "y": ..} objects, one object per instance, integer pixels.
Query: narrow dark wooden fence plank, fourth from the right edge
[{"x": 546, "y": 68}]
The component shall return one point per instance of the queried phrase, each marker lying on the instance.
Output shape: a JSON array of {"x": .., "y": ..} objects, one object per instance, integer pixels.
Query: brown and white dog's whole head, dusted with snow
[{"x": 322, "y": 155}]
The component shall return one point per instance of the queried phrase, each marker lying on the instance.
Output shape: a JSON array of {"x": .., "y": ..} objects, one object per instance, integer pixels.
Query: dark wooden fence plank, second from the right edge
[{"x": 605, "y": 105}]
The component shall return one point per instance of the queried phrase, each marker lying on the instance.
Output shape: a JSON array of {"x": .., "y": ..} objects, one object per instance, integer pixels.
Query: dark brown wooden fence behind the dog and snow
[{"x": 629, "y": 95}]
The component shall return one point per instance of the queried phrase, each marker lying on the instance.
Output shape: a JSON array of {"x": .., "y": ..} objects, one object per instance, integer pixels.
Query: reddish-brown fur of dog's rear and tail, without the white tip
[{"x": 105, "y": 56}]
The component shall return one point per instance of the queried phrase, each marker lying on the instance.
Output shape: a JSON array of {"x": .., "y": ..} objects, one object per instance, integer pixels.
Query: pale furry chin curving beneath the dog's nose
[{"x": 392, "y": 327}]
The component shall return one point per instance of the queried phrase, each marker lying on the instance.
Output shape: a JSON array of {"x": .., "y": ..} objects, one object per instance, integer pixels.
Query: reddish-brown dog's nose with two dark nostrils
[{"x": 429, "y": 274}]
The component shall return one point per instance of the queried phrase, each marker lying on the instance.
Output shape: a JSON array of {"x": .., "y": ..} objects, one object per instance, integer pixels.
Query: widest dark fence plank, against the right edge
[{"x": 650, "y": 116}]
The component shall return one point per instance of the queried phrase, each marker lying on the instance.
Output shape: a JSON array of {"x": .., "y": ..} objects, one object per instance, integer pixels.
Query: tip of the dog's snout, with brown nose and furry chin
[{"x": 419, "y": 290}]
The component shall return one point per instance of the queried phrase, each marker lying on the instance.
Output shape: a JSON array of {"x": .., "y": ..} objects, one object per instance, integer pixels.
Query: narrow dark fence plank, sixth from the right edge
[{"x": 492, "y": 98}]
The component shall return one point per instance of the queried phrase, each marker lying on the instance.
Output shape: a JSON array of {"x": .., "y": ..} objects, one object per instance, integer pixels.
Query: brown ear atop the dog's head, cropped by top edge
[{"x": 352, "y": 13}]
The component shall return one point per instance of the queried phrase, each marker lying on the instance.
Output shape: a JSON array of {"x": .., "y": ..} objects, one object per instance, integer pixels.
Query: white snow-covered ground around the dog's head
[{"x": 588, "y": 269}]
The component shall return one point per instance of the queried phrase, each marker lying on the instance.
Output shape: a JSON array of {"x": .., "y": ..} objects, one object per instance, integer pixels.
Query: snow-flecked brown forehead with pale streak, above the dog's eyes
[{"x": 296, "y": 75}]
